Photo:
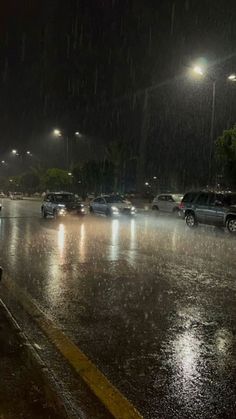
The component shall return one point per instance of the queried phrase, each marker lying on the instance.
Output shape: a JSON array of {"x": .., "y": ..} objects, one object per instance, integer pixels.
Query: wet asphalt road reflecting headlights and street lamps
[{"x": 152, "y": 303}]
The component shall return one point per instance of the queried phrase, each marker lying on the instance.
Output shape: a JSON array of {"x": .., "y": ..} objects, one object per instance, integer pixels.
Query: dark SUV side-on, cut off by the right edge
[{"x": 218, "y": 209}]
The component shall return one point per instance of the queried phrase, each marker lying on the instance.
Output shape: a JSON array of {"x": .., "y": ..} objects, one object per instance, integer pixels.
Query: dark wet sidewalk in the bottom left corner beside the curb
[{"x": 21, "y": 392}]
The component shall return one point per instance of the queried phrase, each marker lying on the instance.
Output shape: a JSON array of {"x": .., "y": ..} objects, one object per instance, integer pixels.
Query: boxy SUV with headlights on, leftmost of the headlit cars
[{"x": 60, "y": 204}]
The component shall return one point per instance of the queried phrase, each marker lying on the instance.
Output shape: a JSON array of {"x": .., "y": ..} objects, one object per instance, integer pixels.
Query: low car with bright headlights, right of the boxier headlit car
[{"x": 112, "y": 205}]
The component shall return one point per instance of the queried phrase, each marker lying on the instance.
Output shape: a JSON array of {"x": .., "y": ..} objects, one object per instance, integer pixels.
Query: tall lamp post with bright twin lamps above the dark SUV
[{"x": 201, "y": 72}]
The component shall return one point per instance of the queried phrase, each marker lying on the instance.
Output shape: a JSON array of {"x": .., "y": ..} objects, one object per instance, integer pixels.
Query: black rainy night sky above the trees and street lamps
[{"x": 83, "y": 65}]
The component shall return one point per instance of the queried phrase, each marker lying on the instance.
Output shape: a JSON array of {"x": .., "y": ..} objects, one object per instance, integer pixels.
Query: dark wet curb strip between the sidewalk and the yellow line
[{"x": 45, "y": 379}]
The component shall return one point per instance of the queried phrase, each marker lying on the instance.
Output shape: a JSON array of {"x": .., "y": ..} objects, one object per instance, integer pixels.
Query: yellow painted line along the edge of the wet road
[{"x": 110, "y": 396}]
